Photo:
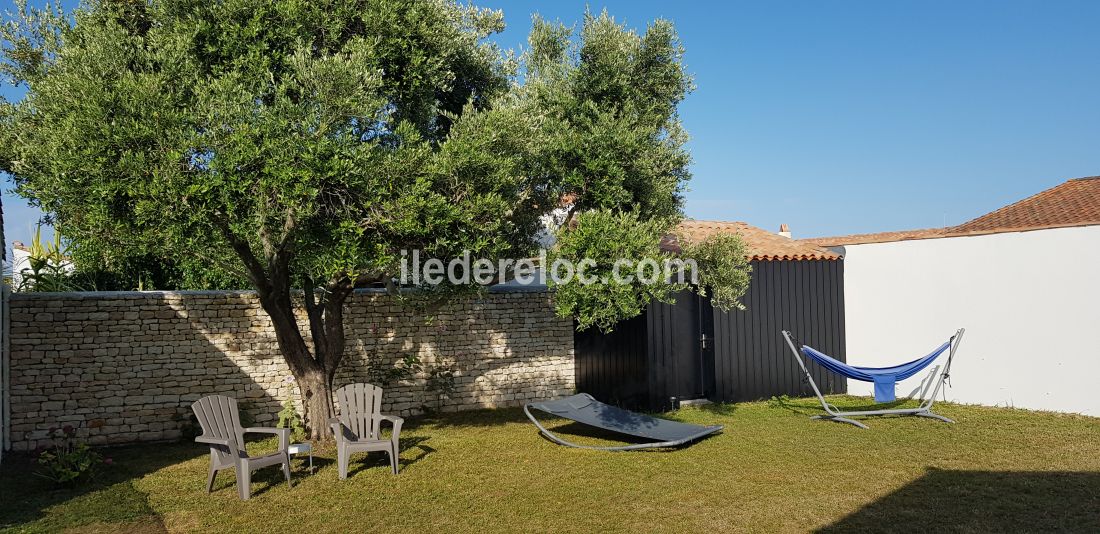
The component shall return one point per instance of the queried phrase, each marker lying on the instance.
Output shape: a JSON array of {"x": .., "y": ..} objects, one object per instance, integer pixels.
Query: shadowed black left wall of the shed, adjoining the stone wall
[{"x": 613, "y": 367}]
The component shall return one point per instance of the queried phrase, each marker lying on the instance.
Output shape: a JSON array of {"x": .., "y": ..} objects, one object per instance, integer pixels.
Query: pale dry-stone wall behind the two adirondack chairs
[{"x": 126, "y": 367}]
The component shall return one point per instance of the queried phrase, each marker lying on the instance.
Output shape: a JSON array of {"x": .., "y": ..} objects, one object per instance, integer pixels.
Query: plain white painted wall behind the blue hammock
[{"x": 1030, "y": 303}]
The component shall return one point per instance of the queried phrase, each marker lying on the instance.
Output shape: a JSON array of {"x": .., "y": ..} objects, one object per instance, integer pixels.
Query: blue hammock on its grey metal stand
[{"x": 884, "y": 379}]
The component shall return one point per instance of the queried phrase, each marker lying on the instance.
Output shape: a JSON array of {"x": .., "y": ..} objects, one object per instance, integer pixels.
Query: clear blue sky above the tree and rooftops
[{"x": 863, "y": 116}]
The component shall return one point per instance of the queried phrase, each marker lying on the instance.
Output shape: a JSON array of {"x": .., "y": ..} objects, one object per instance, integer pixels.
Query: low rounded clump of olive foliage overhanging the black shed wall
[{"x": 606, "y": 237}]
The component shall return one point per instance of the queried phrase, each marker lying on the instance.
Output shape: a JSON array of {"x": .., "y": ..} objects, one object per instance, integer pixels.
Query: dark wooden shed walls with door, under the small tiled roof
[{"x": 646, "y": 361}]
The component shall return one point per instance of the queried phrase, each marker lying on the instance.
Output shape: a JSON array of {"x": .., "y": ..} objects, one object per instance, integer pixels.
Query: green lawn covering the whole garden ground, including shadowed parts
[{"x": 773, "y": 470}]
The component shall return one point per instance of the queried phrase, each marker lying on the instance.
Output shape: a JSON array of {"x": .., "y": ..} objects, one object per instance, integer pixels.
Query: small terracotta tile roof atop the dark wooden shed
[{"x": 763, "y": 245}]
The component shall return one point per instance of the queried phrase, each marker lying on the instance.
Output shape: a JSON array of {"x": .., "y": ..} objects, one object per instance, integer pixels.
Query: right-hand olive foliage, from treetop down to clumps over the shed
[{"x": 617, "y": 144}]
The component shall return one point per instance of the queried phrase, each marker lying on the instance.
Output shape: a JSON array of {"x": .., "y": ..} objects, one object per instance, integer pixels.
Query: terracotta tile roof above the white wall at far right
[{"x": 1073, "y": 203}]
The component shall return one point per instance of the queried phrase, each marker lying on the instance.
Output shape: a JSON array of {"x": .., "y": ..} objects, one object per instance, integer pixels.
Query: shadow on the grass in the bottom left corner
[{"x": 112, "y": 499}]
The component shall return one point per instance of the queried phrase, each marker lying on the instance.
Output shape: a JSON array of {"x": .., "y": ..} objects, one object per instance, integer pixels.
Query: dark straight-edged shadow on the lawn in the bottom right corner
[{"x": 984, "y": 502}]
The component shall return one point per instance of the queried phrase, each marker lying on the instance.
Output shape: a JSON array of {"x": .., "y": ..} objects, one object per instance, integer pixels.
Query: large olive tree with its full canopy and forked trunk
[{"x": 303, "y": 145}]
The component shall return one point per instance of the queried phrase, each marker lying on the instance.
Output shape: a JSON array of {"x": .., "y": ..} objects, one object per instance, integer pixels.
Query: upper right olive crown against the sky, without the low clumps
[{"x": 613, "y": 138}]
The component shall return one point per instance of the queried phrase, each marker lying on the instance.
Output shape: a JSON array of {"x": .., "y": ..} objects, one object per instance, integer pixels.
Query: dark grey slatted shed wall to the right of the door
[{"x": 752, "y": 359}]
